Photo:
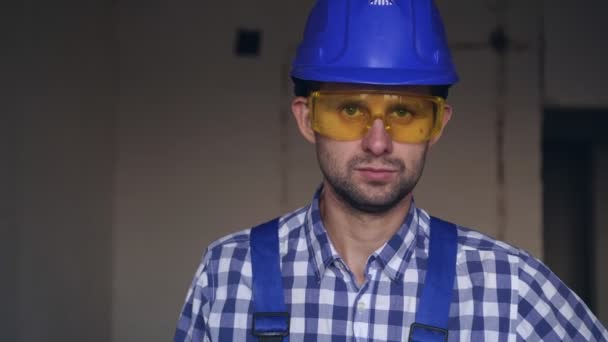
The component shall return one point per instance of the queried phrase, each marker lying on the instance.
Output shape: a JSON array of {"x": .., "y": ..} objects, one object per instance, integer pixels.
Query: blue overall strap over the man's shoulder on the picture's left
[{"x": 270, "y": 321}]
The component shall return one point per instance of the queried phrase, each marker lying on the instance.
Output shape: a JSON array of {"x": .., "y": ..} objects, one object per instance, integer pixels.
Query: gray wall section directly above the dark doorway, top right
[{"x": 576, "y": 53}]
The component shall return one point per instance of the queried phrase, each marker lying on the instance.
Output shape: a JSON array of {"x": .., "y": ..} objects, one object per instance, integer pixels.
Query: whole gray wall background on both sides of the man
[{"x": 126, "y": 166}]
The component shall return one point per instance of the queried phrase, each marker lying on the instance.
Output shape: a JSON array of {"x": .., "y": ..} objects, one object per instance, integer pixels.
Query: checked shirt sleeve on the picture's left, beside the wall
[{"x": 192, "y": 322}]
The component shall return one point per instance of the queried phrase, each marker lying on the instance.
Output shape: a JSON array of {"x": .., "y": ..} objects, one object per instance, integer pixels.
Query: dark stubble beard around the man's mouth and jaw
[{"x": 370, "y": 197}]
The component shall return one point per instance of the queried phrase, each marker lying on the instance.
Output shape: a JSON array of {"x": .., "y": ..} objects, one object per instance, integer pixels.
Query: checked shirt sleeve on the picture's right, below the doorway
[{"x": 549, "y": 311}]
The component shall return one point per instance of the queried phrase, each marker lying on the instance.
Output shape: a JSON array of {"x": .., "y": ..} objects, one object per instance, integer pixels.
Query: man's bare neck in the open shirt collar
[{"x": 356, "y": 235}]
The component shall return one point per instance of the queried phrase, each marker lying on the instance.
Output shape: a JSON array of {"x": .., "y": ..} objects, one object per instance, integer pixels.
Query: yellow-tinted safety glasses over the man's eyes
[{"x": 348, "y": 115}]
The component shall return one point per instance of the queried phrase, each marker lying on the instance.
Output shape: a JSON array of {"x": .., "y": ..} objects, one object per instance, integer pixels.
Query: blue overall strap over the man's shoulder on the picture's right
[{"x": 434, "y": 306}]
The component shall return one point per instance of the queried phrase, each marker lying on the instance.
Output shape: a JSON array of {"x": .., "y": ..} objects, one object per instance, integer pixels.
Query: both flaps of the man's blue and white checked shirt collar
[{"x": 392, "y": 257}]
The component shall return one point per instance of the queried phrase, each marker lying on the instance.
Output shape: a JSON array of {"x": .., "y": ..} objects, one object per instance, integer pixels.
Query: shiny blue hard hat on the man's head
[{"x": 387, "y": 42}]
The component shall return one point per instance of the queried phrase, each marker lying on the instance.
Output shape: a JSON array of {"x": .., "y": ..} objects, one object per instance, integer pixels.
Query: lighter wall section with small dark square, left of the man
[{"x": 198, "y": 146}]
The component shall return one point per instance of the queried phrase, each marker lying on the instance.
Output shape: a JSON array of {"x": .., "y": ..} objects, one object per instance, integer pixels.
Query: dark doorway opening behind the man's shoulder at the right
[{"x": 571, "y": 138}]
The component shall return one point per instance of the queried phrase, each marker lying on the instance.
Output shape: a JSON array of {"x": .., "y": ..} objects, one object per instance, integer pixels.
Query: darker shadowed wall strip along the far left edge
[{"x": 60, "y": 175}]
